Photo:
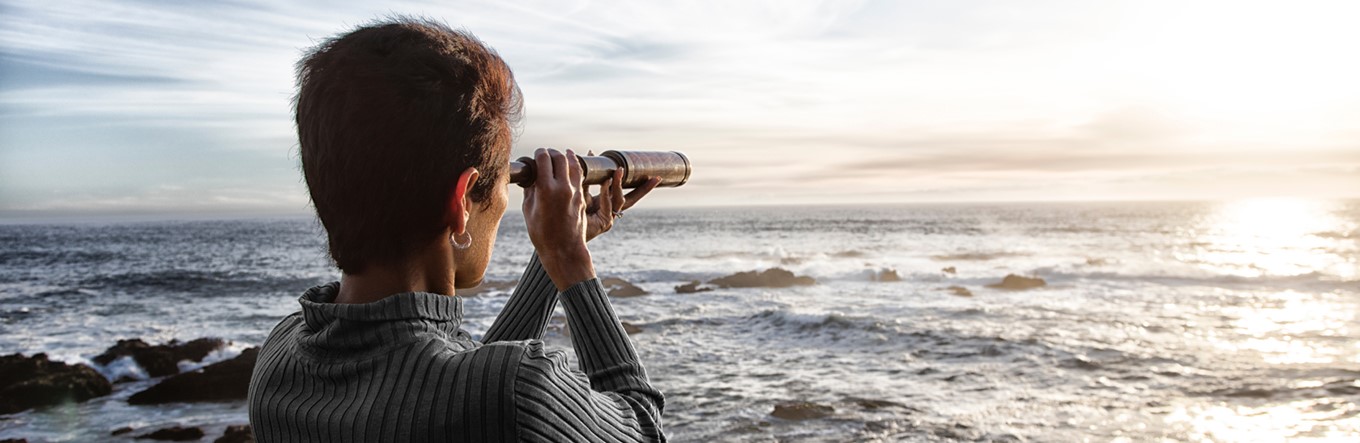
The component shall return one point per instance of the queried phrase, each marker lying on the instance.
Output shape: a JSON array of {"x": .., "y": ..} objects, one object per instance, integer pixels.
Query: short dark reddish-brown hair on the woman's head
[{"x": 388, "y": 118}]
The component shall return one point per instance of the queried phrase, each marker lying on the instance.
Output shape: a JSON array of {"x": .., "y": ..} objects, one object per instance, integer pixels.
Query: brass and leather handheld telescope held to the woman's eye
[{"x": 639, "y": 166}]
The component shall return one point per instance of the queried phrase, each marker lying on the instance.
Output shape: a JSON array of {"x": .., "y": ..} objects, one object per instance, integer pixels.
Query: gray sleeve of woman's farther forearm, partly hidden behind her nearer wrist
[{"x": 526, "y": 316}]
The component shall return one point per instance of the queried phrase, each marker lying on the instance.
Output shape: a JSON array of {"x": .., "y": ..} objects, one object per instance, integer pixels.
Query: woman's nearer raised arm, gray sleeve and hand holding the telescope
[{"x": 613, "y": 397}]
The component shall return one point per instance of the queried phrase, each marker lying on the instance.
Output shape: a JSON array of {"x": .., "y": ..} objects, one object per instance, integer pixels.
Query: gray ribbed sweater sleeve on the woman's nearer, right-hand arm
[{"x": 611, "y": 402}]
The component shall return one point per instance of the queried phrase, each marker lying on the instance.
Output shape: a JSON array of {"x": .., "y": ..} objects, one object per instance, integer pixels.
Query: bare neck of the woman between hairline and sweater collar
[{"x": 430, "y": 272}]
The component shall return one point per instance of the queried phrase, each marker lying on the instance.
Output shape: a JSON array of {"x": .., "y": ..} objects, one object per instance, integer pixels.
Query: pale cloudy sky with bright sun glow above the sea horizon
[{"x": 186, "y": 107}]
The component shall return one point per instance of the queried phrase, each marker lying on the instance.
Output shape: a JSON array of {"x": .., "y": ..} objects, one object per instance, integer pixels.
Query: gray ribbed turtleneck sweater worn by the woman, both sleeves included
[{"x": 403, "y": 370}]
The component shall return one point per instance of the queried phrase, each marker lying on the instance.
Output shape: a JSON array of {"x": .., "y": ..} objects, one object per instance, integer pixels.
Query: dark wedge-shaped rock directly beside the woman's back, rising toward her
[{"x": 222, "y": 381}]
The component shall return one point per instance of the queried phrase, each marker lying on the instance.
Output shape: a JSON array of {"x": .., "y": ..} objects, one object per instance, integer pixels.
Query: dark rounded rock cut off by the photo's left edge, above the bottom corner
[{"x": 32, "y": 383}]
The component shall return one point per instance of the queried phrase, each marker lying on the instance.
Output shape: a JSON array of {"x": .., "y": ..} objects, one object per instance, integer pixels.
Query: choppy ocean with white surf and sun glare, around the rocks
[{"x": 1180, "y": 321}]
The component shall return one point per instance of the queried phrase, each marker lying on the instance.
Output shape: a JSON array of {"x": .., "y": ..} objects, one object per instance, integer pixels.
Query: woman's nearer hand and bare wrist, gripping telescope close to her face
[{"x": 556, "y": 217}]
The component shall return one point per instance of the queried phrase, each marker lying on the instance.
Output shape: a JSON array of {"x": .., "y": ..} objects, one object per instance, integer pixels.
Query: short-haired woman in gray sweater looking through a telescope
[{"x": 405, "y": 130}]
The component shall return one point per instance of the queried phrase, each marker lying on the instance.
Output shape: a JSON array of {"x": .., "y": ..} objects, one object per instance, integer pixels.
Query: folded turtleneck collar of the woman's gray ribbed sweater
[{"x": 368, "y": 330}]
